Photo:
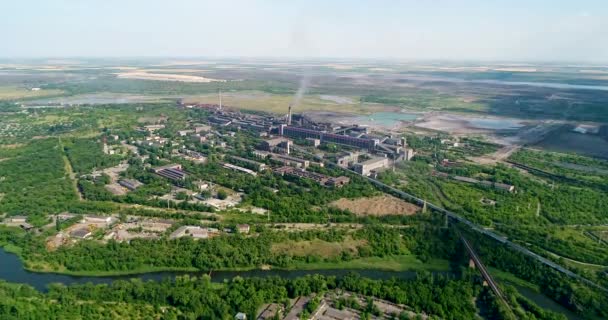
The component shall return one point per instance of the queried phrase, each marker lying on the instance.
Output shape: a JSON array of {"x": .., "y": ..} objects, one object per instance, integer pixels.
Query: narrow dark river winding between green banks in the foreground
[{"x": 11, "y": 270}]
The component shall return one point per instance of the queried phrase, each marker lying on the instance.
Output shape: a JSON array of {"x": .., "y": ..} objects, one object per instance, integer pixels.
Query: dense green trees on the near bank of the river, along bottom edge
[{"x": 189, "y": 297}]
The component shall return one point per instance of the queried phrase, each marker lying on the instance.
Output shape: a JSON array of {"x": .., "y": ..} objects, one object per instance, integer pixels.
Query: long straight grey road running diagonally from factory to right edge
[{"x": 466, "y": 222}]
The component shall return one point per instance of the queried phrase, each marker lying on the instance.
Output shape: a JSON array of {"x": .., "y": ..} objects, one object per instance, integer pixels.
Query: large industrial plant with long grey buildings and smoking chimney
[{"x": 379, "y": 150}]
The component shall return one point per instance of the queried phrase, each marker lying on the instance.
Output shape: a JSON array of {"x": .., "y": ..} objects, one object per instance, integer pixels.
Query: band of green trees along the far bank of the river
[{"x": 227, "y": 252}]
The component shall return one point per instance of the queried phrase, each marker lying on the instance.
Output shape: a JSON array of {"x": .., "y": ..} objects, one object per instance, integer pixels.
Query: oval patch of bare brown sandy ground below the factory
[{"x": 376, "y": 206}]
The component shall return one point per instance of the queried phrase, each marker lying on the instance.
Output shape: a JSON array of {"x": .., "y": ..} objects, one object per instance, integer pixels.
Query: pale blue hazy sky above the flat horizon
[{"x": 513, "y": 30}]
